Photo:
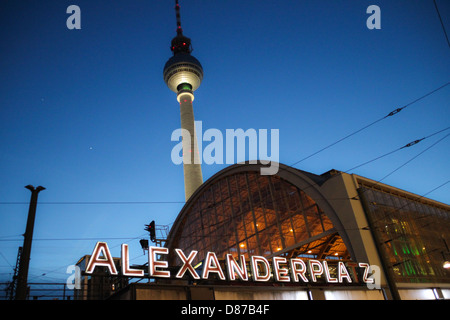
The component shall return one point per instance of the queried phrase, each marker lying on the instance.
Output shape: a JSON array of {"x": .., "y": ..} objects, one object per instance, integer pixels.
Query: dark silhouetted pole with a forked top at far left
[{"x": 22, "y": 279}]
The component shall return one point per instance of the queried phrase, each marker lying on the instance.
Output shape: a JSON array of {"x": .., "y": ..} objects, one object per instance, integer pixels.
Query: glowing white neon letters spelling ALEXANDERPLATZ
[{"x": 282, "y": 269}]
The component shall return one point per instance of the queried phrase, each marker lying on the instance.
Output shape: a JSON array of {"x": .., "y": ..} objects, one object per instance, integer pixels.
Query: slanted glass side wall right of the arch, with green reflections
[{"x": 413, "y": 234}]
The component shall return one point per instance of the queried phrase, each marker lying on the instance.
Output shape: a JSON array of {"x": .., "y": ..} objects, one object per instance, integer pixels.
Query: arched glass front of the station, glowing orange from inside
[{"x": 245, "y": 213}]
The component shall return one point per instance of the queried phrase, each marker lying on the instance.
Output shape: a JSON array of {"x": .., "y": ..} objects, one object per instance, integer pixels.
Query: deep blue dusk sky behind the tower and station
[{"x": 86, "y": 113}]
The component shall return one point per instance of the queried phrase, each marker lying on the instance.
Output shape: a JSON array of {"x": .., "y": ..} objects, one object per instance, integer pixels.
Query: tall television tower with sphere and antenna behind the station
[{"x": 183, "y": 74}]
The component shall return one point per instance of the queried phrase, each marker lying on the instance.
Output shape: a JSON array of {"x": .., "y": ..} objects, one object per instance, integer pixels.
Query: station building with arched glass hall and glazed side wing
[{"x": 333, "y": 217}]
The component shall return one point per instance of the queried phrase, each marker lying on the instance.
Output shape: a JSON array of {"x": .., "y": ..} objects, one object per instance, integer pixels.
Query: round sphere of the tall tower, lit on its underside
[{"x": 183, "y": 68}]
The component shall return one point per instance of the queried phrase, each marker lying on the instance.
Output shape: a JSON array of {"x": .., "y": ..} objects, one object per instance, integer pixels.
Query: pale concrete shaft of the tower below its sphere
[{"x": 191, "y": 159}]
